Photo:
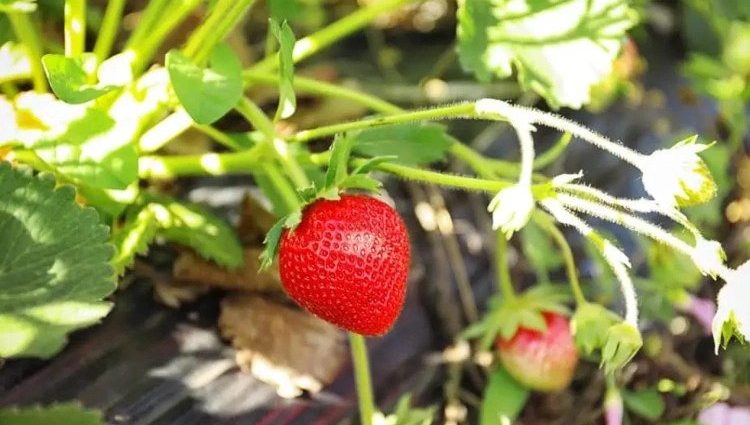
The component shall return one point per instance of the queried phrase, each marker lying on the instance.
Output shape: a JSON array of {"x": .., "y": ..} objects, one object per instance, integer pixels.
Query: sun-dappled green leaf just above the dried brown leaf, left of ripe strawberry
[{"x": 193, "y": 226}]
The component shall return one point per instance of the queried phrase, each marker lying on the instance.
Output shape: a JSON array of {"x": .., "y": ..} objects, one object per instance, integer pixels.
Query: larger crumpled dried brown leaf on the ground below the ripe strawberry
[{"x": 282, "y": 346}]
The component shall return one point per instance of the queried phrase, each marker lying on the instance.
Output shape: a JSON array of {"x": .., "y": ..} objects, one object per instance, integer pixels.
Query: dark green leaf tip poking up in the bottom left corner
[{"x": 57, "y": 414}]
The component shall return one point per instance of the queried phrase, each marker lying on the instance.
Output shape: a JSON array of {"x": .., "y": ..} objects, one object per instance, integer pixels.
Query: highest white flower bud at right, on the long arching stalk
[{"x": 678, "y": 176}]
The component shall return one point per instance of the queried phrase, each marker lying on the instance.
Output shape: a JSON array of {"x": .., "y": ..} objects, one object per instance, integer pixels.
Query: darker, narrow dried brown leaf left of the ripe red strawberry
[{"x": 191, "y": 269}]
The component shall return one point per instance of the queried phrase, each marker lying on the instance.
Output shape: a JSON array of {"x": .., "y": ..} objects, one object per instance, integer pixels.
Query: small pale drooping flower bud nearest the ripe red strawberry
[{"x": 511, "y": 208}]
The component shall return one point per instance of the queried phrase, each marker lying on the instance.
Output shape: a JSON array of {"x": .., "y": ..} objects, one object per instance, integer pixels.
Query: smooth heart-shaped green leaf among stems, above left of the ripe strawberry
[{"x": 206, "y": 93}]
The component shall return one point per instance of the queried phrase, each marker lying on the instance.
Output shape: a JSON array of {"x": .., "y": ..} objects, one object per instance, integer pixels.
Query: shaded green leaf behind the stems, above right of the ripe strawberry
[{"x": 410, "y": 143}]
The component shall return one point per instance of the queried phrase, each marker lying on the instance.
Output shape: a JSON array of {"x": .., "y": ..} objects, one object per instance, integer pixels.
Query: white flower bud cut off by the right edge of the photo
[{"x": 733, "y": 310}]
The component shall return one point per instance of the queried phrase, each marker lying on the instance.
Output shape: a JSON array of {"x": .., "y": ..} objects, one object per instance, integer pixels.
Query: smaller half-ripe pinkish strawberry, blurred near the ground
[{"x": 542, "y": 361}]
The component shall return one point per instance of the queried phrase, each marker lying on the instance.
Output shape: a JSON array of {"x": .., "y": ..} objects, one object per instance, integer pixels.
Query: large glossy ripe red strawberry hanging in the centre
[{"x": 347, "y": 262}]
